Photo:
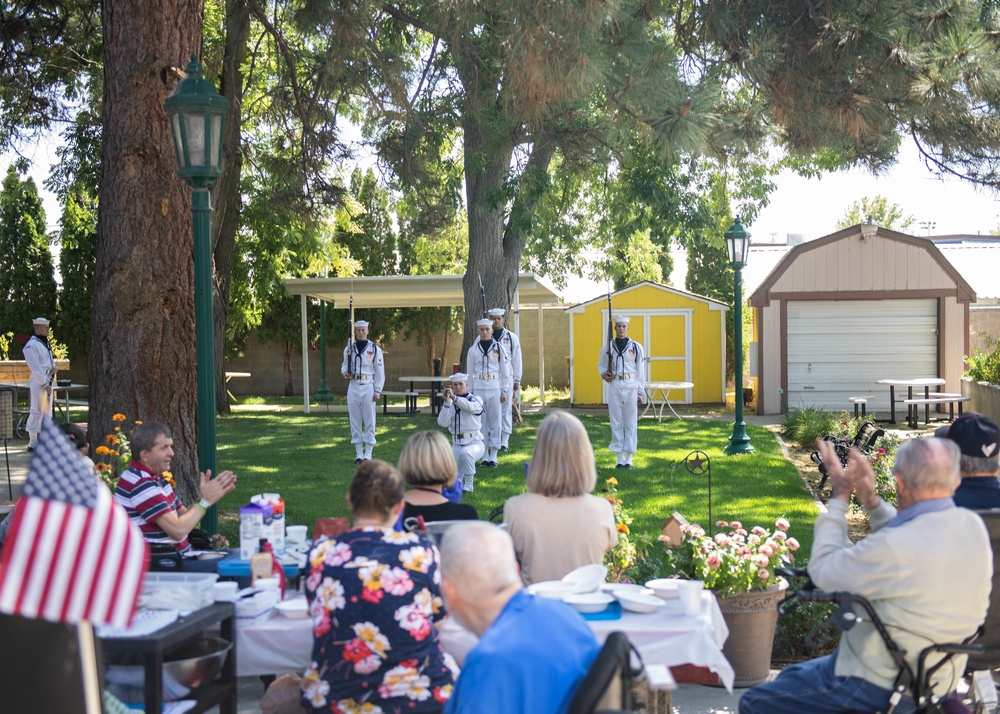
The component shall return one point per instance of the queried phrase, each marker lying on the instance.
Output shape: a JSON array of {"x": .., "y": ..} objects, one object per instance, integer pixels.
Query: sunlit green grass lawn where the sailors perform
[{"x": 309, "y": 459}]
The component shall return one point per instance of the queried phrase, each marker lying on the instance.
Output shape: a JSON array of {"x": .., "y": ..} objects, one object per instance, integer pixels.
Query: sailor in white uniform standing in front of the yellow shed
[{"x": 621, "y": 366}]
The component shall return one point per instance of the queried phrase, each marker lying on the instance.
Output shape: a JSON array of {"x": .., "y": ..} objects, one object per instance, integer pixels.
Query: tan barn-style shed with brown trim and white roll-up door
[{"x": 839, "y": 313}]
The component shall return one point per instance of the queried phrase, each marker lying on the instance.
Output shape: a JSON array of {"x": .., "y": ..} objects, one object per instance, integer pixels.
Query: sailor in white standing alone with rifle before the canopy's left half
[{"x": 364, "y": 368}]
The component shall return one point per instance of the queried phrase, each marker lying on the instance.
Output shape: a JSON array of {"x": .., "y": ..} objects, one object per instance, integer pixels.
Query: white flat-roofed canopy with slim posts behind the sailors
[{"x": 411, "y": 291}]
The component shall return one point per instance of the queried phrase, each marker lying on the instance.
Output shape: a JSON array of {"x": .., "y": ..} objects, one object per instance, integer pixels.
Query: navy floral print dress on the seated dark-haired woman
[{"x": 374, "y": 596}]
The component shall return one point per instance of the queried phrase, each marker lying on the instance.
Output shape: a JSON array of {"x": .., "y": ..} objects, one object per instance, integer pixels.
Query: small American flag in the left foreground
[{"x": 72, "y": 553}]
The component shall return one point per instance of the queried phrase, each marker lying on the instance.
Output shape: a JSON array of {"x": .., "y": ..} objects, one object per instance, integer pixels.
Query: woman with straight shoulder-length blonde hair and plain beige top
[{"x": 558, "y": 525}]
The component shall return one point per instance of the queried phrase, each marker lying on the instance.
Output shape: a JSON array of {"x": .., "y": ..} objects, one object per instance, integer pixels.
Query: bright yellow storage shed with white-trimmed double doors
[{"x": 682, "y": 334}]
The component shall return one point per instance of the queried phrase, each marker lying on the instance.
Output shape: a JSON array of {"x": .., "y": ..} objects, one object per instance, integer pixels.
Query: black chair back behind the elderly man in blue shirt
[{"x": 608, "y": 685}]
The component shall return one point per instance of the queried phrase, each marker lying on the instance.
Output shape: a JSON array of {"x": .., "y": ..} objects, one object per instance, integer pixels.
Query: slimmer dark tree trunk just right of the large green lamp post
[{"x": 226, "y": 194}]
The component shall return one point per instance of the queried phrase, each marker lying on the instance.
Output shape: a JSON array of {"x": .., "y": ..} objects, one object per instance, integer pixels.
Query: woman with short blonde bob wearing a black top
[{"x": 428, "y": 466}]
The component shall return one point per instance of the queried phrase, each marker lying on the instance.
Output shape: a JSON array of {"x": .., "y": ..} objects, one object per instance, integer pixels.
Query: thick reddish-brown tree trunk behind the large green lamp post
[{"x": 143, "y": 334}]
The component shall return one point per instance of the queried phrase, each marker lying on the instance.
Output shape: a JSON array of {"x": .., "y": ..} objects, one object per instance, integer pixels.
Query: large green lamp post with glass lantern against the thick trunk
[{"x": 197, "y": 119}]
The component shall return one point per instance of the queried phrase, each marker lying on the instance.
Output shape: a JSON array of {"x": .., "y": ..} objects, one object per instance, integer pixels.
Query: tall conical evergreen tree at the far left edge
[{"x": 27, "y": 280}]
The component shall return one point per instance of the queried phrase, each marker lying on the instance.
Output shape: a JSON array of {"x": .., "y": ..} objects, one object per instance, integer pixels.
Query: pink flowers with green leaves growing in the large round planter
[{"x": 732, "y": 562}]
